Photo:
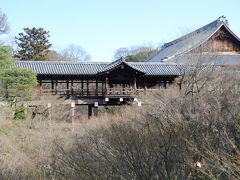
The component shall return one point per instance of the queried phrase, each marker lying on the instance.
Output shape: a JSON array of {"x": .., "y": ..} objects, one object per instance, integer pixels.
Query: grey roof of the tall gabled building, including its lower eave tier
[{"x": 176, "y": 50}]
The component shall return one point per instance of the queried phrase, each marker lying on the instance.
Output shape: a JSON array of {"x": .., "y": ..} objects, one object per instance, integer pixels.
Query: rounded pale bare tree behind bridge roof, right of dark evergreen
[{"x": 75, "y": 53}]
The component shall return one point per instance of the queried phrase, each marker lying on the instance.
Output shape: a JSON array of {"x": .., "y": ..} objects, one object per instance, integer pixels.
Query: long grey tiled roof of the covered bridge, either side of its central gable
[{"x": 82, "y": 68}]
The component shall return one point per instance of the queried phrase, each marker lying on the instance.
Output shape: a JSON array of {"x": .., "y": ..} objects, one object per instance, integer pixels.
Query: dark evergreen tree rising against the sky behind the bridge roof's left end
[{"x": 33, "y": 44}]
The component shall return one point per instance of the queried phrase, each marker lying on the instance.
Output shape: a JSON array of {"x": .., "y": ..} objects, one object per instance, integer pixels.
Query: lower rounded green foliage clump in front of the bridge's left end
[{"x": 18, "y": 84}]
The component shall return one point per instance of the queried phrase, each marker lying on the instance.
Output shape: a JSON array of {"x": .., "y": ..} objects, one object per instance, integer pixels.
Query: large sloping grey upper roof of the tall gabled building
[{"x": 190, "y": 41}]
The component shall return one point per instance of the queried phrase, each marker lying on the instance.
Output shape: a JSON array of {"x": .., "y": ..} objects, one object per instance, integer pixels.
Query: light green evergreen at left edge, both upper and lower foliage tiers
[{"x": 15, "y": 83}]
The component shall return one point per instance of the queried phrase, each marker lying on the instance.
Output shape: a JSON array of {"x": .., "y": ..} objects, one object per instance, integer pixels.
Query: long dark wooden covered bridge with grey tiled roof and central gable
[{"x": 112, "y": 82}]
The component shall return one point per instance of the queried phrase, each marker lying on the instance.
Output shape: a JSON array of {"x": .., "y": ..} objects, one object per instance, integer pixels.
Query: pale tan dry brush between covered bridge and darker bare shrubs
[{"x": 27, "y": 151}]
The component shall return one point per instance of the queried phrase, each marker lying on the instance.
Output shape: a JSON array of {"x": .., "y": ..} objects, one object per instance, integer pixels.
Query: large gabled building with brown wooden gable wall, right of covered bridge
[{"x": 213, "y": 44}]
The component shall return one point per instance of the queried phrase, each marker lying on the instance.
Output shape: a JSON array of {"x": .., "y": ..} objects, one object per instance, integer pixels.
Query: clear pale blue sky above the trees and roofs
[{"x": 102, "y": 26}]
